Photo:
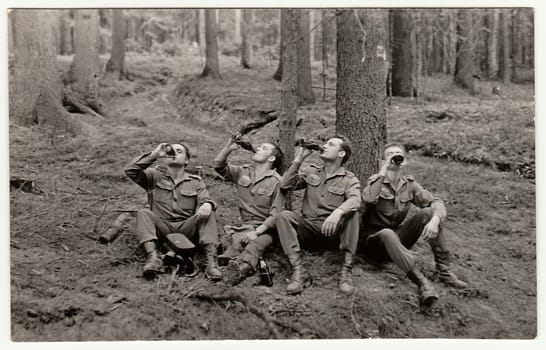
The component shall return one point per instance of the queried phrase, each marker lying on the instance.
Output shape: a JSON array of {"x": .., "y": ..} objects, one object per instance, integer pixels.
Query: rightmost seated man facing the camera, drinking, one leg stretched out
[{"x": 385, "y": 234}]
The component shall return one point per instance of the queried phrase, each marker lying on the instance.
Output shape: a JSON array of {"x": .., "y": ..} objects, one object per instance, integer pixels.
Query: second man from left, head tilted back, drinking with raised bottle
[{"x": 259, "y": 198}]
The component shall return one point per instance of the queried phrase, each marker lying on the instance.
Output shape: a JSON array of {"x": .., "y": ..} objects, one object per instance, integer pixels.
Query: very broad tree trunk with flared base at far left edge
[{"x": 35, "y": 87}]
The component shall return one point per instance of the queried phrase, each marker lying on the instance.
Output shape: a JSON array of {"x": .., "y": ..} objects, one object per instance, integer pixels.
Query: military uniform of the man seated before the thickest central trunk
[{"x": 323, "y": 194}]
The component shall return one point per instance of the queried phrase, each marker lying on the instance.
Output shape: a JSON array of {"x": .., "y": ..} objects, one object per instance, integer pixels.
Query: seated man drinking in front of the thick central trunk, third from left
[{"x": 330, "y": 203}]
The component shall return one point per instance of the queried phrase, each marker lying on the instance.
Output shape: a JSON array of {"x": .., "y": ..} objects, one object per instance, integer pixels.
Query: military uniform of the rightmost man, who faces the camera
[{"x": 384, "y": 232}]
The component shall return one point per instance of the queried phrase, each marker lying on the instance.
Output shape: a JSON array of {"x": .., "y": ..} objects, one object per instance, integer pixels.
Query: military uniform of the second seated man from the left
[{"x": 259, "y": 199}]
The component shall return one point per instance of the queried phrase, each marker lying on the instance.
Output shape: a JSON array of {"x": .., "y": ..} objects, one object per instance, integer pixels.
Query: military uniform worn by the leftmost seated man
[{"x": 172, "y": 204}]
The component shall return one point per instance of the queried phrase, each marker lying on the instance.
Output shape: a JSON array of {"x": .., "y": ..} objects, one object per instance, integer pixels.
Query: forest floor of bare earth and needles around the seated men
[{"x": 65, "y": 285}]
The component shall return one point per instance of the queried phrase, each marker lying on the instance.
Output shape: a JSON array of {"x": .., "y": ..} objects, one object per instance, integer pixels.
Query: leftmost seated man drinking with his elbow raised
[{"x": 178, "y": 202}]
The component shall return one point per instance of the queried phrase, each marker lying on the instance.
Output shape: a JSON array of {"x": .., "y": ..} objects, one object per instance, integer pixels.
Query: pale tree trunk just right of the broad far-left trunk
[{"x": 86, "y": 71}]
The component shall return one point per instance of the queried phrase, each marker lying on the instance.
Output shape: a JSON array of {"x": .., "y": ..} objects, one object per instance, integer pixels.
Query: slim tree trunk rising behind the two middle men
[{"x": 287, "y": 116}]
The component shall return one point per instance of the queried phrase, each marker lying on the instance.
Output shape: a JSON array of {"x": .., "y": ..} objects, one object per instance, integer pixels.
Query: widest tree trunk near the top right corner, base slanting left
[{"x": 465, "y": 61}]
